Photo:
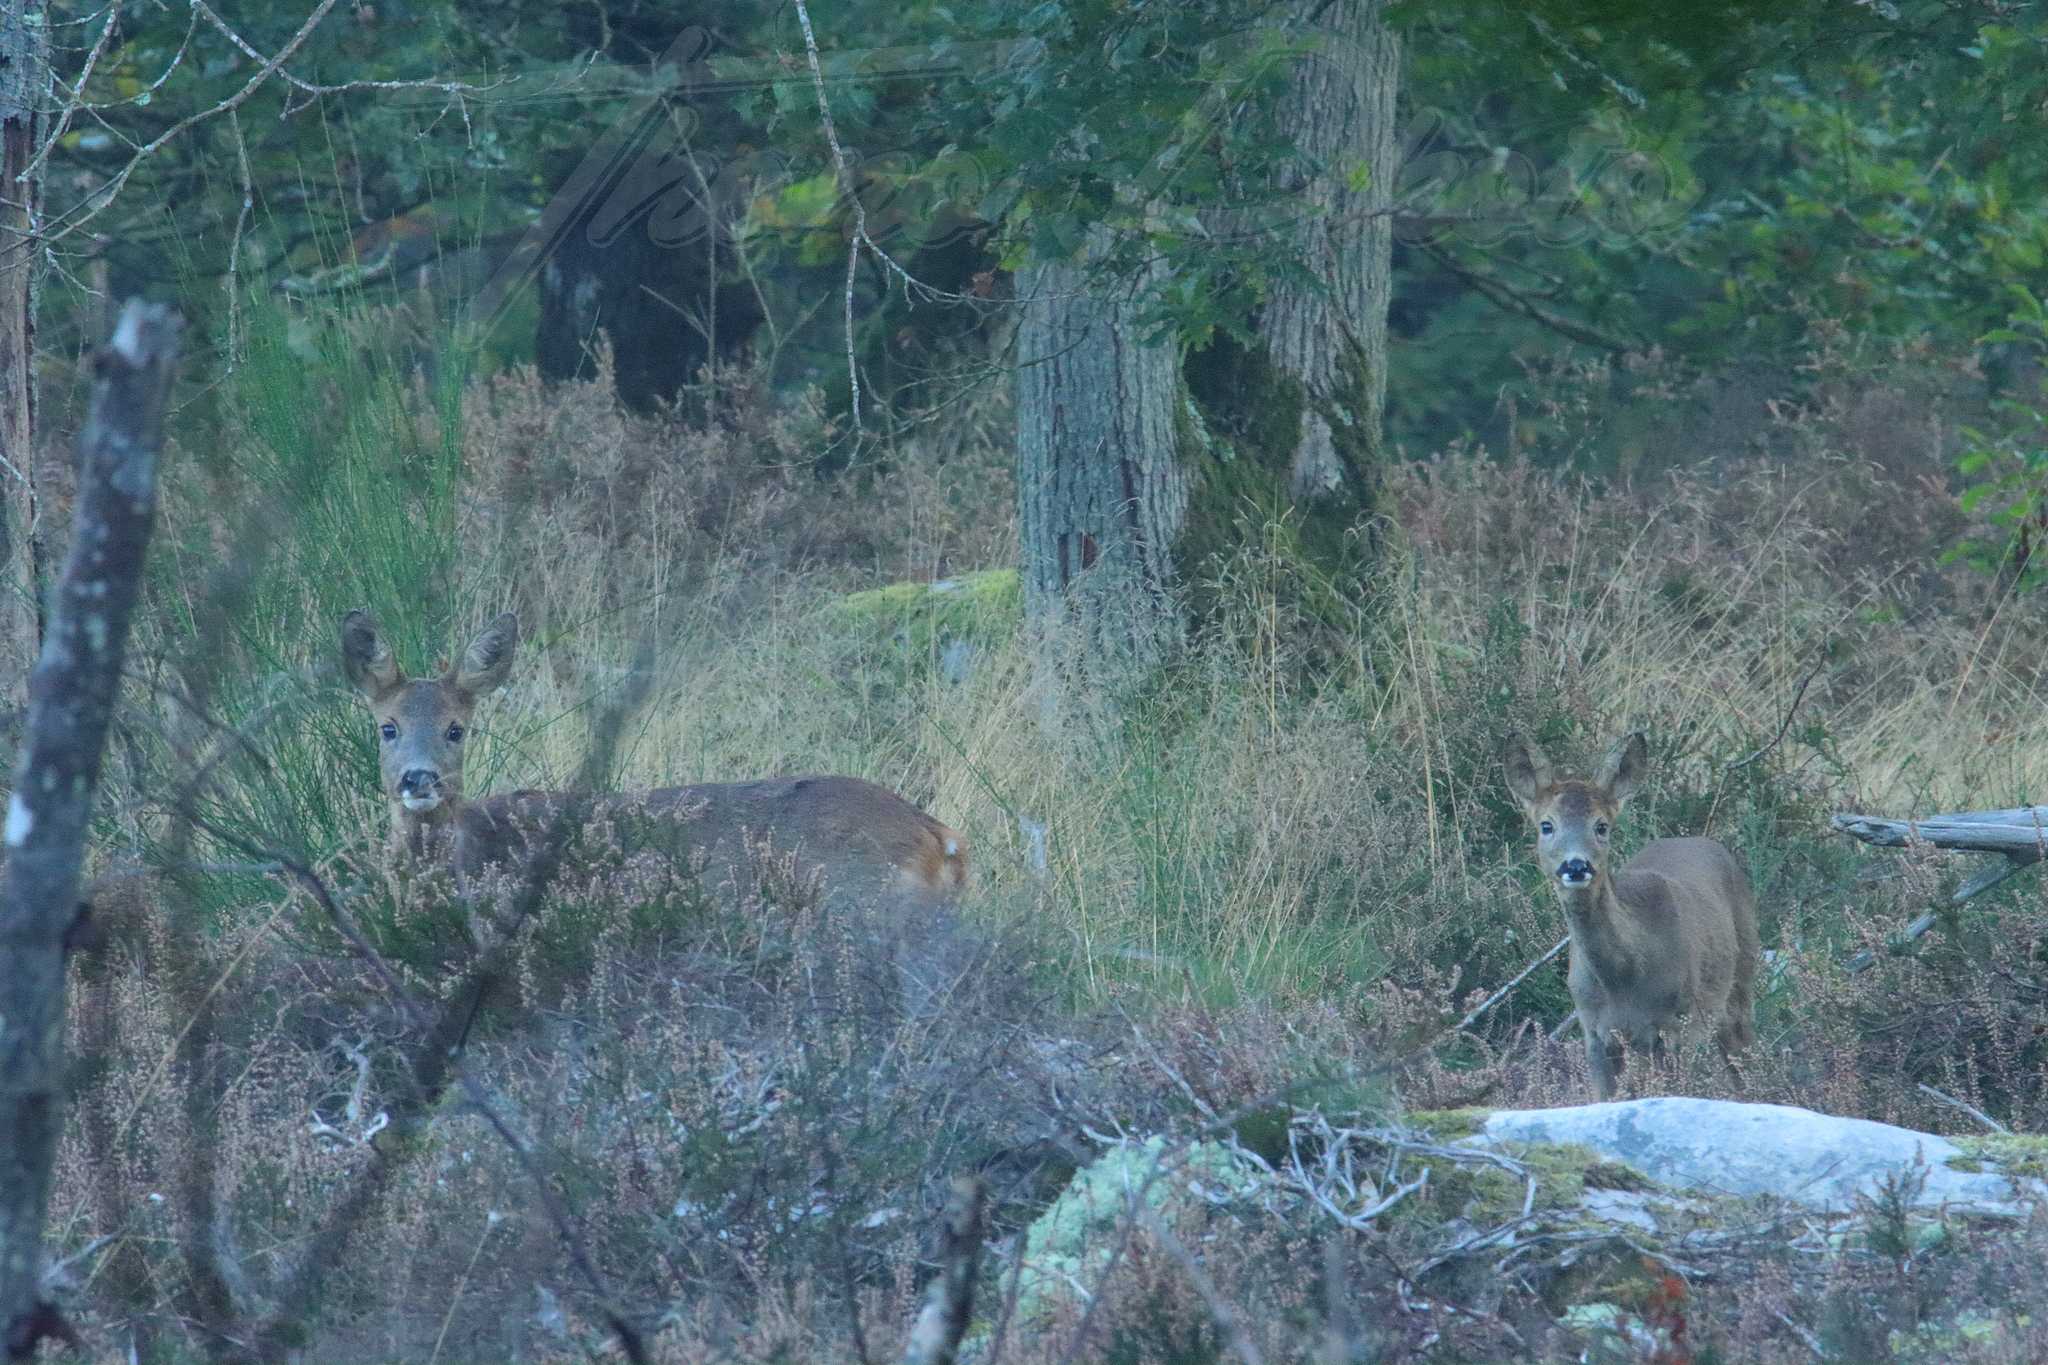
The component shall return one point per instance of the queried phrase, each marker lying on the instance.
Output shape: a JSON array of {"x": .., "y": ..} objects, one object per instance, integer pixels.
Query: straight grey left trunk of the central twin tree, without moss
[{"x": 1103, "y": 488}]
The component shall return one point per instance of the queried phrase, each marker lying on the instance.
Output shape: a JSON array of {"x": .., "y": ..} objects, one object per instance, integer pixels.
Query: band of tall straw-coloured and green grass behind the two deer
[{"x": 1293, "y": 809}]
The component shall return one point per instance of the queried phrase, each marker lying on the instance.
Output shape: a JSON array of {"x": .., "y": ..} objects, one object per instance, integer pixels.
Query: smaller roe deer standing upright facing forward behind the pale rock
[{"x": 1666, "y": 942}]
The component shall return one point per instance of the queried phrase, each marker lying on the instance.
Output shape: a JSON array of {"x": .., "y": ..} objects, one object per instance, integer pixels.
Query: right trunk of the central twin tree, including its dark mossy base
[{"x": 1293, "y": 419}]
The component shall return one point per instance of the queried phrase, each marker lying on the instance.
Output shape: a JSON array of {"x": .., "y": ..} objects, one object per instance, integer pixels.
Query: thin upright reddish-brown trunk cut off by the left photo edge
[{"x": 24, "y": 97}]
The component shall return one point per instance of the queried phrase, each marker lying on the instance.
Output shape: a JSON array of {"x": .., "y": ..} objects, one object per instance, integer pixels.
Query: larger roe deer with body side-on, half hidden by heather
[{"x": 861, "y": 836}]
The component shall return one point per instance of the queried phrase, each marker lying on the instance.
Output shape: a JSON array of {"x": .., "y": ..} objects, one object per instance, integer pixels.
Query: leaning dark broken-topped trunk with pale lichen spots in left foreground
[{"x": 71, "y": 707}]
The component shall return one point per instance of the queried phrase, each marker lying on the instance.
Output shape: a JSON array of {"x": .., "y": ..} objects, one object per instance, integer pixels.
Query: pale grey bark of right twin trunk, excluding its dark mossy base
[{"x": 1340, "y": 109}]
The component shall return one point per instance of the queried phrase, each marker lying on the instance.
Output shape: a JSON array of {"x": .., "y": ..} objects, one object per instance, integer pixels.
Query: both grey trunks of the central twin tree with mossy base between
[{"x": 1127, "y": 488}]
